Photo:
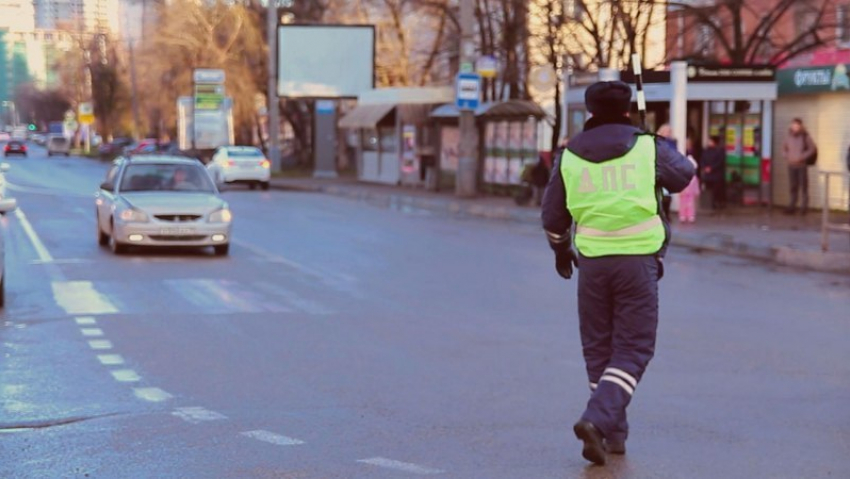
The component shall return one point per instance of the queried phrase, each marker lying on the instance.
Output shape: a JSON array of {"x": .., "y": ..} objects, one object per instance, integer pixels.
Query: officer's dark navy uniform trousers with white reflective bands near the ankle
[{"x": 618, "y": 314}]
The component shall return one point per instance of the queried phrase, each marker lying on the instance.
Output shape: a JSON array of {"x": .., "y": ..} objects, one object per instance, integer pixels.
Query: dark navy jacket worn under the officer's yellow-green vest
[{"x": 607, "y": 139}]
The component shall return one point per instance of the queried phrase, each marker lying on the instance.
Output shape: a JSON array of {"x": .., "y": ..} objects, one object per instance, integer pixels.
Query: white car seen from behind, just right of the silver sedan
[{"x": 240, "y": 164}]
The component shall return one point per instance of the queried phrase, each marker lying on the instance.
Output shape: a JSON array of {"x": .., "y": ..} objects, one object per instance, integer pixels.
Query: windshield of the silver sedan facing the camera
[{"x": 166, "y": 177}]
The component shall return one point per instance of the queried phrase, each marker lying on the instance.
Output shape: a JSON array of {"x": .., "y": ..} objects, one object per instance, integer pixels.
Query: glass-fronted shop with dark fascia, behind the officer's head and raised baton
[{"x": 734, "y": 103}]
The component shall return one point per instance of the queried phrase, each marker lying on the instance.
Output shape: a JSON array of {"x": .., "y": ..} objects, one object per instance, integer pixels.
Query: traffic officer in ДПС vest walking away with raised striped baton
[{"x": 608, "y": 182}]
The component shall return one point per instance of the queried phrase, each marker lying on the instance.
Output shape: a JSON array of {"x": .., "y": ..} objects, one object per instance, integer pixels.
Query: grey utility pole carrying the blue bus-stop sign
[{"x": 467, "y": 168}]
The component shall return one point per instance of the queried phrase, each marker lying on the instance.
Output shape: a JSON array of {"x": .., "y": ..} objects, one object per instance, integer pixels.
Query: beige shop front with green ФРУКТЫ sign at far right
[{"x": 820, "y": 96}]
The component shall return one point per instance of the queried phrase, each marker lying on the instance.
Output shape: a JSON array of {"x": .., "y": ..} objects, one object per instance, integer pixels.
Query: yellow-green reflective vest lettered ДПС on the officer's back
[{"x": 614, "y": 203}]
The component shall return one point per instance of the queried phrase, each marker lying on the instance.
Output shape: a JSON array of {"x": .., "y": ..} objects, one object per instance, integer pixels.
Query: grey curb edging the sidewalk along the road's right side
[{"x": 719, "y": 243}]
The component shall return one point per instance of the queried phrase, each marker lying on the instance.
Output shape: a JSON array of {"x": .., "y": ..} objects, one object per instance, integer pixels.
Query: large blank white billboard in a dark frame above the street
[{"x": 325, "y": 61}]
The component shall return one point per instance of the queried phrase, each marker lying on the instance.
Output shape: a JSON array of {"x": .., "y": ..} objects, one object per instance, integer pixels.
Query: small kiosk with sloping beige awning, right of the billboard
[{"x": 392, "y": 135}]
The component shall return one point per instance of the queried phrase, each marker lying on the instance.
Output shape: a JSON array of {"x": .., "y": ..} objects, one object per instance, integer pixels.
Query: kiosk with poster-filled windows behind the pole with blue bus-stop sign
[{"x": 507, "y": 142}]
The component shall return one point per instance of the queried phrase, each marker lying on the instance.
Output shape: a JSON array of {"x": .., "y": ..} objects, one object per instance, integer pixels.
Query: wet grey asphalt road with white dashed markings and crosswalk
[{"x": 344, "y": 340}]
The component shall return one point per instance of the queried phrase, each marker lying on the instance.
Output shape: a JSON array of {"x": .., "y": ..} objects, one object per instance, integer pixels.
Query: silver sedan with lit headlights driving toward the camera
[{"x": 160, "y": 200}]
